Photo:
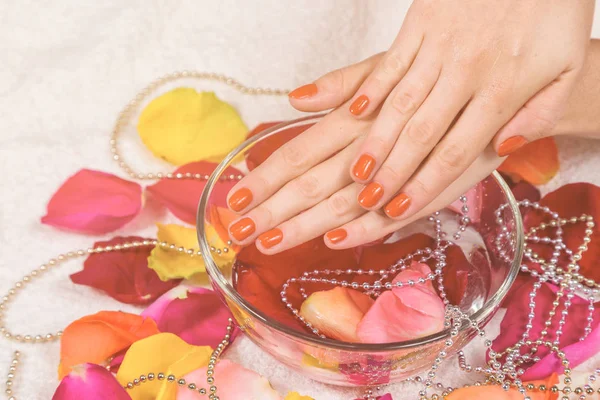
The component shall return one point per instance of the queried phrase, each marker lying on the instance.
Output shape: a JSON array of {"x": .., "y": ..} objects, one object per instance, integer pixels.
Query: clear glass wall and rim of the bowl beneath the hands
[{"x": 495, "y": 266}]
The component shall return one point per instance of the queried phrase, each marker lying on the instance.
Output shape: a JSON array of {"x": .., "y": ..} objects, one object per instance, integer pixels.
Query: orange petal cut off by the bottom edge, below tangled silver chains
[{"x": 494, "y": 392}]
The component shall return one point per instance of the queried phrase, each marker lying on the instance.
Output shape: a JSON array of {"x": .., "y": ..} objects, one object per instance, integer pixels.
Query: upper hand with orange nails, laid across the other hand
[{"x": 457, "y": 73}]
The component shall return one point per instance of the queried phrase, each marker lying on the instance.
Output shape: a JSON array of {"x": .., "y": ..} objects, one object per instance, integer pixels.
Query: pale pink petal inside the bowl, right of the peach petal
[{"x": 404, "y": 313}]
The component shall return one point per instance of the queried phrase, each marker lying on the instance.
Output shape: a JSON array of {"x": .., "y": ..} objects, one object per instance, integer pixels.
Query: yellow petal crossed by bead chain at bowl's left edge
[{"x": 170, "y": 264}]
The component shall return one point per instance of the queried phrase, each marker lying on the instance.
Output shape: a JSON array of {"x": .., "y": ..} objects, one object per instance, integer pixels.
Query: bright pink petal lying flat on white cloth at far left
[{"x": 94, "y": 202}]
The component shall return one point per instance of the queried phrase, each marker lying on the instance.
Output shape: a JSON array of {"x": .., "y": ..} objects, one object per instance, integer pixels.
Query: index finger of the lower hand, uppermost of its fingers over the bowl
[{"x": 296, "y": 196}]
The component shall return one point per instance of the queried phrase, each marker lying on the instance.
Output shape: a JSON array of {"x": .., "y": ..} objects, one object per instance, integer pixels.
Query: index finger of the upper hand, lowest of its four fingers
[{"x": 452, "y": 156}]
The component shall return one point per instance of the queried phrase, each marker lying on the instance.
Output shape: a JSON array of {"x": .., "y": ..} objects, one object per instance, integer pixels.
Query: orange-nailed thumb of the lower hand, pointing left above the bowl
[{"x": 334, "y": 88}]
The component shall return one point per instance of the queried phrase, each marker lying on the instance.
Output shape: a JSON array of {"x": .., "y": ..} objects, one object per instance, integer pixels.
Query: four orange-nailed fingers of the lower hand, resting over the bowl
[{"x": 303, "y": 190}]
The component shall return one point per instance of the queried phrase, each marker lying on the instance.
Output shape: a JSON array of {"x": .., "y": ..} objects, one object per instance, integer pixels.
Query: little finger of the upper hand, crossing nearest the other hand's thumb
[{"x": 388, "y": 72}]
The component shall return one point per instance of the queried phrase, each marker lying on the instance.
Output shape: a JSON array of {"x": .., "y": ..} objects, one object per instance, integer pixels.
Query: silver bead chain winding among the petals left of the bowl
[{"x": 123, "y": 120}]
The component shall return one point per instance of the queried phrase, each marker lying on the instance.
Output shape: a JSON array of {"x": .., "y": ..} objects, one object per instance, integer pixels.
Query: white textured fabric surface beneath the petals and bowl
[{"x": 67, "y": 68}]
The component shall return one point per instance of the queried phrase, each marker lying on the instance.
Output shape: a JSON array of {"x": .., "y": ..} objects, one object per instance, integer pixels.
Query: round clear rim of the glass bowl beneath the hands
[{"x": 219, "y": 279}]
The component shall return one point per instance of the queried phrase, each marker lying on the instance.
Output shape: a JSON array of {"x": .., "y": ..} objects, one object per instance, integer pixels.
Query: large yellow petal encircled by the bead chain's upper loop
[{"x": 183, "y": 125}]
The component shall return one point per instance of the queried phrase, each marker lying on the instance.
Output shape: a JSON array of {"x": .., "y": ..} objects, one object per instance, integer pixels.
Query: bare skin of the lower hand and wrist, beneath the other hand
[{"x": 305, "y": 192}]
